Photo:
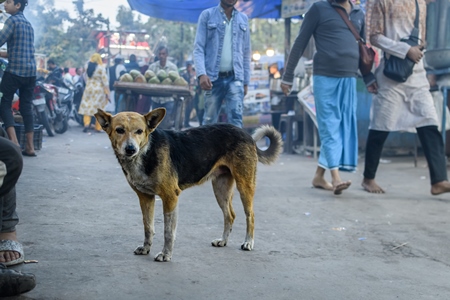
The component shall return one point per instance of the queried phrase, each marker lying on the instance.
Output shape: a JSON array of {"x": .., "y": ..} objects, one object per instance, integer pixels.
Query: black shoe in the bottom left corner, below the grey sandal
[{"x": 14, "y": 283}]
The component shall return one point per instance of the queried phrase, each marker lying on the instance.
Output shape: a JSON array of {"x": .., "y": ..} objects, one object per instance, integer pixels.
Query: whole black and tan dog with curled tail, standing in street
[{"x": 165, "y": 162}]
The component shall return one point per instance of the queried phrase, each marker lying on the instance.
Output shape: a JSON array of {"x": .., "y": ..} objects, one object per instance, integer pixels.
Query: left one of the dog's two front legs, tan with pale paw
[{"x": 147, "y": 203}]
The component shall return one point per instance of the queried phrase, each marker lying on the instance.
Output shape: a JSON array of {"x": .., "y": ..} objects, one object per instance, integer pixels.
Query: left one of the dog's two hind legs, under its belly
[{"x": 223, "y": 190}]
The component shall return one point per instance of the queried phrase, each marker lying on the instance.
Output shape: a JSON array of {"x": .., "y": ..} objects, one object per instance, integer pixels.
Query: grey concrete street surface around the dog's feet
[{"x": 81, "y": 221}]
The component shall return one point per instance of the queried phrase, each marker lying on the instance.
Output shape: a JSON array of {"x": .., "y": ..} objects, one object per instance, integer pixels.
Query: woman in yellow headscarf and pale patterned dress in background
[{"x": 96, "y": 94}]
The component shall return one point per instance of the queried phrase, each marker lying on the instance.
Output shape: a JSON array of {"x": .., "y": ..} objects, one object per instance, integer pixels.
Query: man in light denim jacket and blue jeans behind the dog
[{"x": 222, "y": 60}]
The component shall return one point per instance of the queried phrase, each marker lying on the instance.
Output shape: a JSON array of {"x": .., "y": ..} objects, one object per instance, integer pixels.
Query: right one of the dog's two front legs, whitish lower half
[{"x": 170, "y": 228}]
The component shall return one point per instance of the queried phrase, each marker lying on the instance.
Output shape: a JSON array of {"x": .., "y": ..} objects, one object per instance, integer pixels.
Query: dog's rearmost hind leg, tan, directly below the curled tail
[{"x": 246, "y": 187}]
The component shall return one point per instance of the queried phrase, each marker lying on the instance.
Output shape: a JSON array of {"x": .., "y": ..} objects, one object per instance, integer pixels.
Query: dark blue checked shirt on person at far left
[{"x": 19, "y": 36}]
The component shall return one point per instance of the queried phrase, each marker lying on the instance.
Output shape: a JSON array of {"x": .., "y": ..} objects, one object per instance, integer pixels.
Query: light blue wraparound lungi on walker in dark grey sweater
[{"x": 335, "y": 100}]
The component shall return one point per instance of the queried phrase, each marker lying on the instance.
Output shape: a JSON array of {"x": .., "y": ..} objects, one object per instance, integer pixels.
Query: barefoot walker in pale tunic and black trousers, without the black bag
[{"x": 402, "y": 106}]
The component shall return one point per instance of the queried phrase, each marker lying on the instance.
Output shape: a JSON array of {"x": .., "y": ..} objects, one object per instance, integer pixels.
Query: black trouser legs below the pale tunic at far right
[{"x": 432, "y": 145}]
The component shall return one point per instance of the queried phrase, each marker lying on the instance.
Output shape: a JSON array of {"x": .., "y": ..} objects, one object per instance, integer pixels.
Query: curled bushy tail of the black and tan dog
[{"x": 270, "y": 155}]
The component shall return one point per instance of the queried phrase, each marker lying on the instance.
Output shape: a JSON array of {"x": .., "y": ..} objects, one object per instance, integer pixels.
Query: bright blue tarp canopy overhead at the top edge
[{"x": 189, "y": 10}]
